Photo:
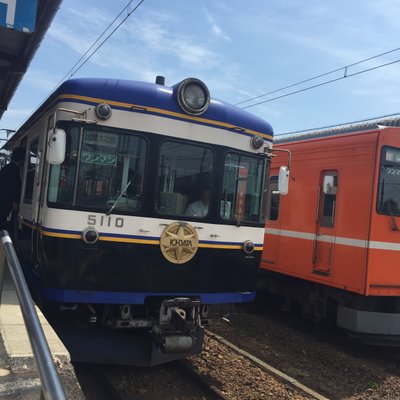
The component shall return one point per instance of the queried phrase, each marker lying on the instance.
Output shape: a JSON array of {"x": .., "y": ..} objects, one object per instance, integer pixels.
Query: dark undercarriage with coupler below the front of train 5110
[{"x": 161, "y": 330}]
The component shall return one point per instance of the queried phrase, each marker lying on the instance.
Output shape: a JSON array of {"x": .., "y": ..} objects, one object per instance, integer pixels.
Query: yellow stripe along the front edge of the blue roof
[{"x": 166, "y": 112}]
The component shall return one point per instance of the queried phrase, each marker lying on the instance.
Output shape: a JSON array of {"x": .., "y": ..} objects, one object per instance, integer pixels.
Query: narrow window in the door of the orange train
[{"x": 328, "y": 198}]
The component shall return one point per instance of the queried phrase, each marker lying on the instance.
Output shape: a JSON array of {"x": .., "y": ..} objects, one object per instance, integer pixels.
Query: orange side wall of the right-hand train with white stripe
[{"x": 322, "y": 237}]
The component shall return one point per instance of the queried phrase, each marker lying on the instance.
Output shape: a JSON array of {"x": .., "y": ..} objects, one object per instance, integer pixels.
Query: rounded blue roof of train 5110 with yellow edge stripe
[{"x": 156, "y": 98}]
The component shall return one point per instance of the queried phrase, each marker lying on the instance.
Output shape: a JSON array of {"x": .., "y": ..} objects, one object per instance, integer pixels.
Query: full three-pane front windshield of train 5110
[{"x": 106, "y": 169}]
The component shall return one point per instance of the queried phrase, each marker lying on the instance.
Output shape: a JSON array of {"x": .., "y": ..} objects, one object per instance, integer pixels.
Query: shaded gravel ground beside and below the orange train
[{"x": 321, "y": 358}]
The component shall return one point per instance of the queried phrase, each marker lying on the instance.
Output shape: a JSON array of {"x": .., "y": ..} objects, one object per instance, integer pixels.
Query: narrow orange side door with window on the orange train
[{"x": 324, "y": 241}]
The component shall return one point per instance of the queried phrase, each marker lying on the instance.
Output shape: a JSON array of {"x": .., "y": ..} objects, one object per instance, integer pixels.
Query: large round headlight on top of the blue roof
[{"x": 193, "y": 96}]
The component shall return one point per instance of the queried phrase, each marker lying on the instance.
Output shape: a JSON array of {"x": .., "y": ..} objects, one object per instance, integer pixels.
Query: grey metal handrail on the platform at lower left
[{"x": 51, "y": 384}]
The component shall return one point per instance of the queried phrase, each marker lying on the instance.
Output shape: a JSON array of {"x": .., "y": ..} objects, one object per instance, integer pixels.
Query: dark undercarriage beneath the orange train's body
[{"x": 372, "y": 320}]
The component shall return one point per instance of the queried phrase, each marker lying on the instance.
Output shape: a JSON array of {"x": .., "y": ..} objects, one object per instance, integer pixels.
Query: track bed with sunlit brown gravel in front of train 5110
[{"x": 219, "y": 373}]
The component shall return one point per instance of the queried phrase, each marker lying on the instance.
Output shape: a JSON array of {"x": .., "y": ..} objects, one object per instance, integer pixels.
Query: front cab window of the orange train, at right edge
[{"x": 388, "y": 201}]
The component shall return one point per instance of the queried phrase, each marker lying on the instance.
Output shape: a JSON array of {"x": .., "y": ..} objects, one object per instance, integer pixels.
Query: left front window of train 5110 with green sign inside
[{"x": 111, "y": 170}]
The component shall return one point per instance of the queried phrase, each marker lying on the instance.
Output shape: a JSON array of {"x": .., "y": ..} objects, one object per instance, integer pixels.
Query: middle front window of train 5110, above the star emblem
[{"x": 183, "y": 181}]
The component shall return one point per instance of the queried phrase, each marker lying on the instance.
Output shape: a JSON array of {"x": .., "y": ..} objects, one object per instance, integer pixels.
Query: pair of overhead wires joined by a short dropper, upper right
[{"x": 345, "y": 69}]
